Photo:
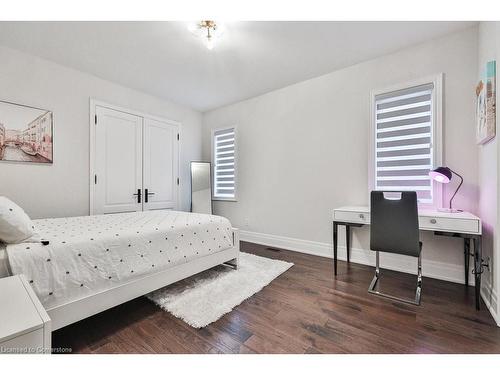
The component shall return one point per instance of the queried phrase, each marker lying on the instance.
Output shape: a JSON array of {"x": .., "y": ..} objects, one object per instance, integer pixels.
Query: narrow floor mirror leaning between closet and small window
[{"x": 201, "y": 187}]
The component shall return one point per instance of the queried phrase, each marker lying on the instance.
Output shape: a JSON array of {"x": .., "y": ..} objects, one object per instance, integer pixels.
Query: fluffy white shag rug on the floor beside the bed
[{"x": 204, "y": 298}]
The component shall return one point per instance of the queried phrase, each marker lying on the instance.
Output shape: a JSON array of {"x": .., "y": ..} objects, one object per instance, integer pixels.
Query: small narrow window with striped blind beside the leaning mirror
[{"x": 223, "y": 156}]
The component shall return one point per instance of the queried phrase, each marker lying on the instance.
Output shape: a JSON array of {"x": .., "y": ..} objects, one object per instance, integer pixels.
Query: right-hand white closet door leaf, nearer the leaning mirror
[{"x": 161, "y": 164}]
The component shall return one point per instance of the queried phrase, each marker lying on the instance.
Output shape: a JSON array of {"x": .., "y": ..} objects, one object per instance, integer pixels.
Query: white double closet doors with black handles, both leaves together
[{"x": 136, "y": 162}]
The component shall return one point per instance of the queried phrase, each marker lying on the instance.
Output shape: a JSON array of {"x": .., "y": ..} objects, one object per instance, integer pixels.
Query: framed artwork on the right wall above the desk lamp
[{"x": 486, "y": 105}]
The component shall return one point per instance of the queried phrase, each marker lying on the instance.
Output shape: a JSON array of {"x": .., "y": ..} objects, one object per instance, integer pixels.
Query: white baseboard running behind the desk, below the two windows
[{"x": 430, "y": 268}]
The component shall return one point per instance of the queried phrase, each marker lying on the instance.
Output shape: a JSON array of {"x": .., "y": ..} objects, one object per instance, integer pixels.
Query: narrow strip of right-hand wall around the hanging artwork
[{"x": 489, "y": 49}]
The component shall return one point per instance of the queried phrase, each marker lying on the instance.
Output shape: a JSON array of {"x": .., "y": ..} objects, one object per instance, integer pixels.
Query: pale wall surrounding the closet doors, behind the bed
[{"x": 62, "y": 189}]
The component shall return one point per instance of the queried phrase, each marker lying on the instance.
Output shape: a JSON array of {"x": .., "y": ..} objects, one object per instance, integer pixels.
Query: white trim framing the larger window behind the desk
[{"x": 437, "y": 132}]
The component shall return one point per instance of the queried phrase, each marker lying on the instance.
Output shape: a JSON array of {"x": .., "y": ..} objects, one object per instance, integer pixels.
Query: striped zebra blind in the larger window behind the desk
[{"x": 404, "y": 141}]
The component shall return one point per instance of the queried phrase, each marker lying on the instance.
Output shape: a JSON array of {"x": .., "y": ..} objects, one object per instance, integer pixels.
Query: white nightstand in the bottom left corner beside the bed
[{"x": 24, "y": 323}]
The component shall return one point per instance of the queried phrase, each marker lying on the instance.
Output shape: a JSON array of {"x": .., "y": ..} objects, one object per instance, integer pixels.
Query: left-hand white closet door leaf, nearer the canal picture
[{"x": 118, "y": 161}]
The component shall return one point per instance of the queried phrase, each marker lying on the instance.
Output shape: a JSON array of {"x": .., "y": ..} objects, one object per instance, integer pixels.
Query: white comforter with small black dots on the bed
[{"x": 89, "y": 254}]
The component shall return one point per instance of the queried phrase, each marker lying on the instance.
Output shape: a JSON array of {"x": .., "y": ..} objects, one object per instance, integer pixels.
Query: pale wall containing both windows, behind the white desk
[{"x": 303, "y": 150}]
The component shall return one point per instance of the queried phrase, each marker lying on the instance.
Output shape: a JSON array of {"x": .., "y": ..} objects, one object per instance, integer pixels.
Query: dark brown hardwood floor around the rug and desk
[{"x": 305, "y": 310}]
